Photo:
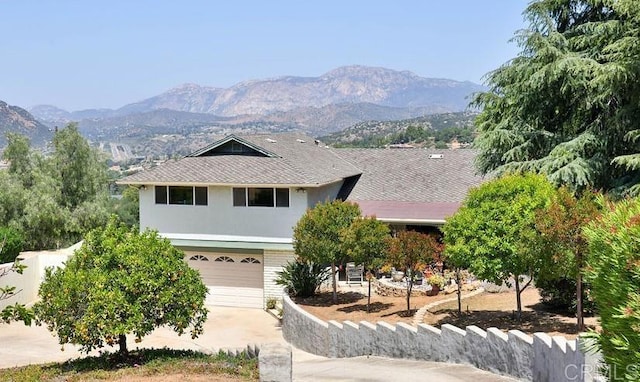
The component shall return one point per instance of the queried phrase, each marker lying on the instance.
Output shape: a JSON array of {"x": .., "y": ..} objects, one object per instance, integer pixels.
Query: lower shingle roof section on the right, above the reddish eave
[{"x": 411, "y": 184}]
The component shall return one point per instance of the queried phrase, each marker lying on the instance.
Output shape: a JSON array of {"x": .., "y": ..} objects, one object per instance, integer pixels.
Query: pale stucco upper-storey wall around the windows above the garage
[{"x": 220, "y": 217}]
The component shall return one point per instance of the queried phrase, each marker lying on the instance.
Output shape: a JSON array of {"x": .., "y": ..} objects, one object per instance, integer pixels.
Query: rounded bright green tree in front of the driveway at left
[{"x": 120, "y": 282}]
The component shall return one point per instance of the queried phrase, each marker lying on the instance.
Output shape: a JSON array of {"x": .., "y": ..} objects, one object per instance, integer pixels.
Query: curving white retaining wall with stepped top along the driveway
[{"x": 533, "y": 358}]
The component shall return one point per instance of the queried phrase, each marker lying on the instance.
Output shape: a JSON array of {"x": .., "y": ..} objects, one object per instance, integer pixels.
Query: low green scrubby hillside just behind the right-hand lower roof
[{"x": 436, "y": 129}]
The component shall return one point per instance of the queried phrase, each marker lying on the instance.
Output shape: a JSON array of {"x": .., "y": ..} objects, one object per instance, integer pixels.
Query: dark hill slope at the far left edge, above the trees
[{"x": 17, "y": 120}]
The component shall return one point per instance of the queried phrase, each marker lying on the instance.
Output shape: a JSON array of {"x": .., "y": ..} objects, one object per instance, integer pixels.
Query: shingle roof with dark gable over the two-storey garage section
[{"x": 299, "y": 161}]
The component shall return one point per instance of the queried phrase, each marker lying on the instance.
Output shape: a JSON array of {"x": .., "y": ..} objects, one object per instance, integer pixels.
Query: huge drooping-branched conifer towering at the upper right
[{"x": 566, "y": 106}]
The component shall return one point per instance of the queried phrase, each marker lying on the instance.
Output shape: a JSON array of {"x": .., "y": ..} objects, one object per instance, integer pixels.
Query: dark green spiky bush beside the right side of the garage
[{"x": 302, "y": 278}]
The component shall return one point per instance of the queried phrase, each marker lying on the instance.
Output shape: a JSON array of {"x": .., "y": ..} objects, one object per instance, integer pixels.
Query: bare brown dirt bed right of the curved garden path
[{"x": 499, "y": 310}]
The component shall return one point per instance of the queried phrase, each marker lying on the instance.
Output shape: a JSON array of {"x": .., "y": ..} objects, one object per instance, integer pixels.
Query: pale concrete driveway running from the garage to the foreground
[{"x": 231, "y": 328}]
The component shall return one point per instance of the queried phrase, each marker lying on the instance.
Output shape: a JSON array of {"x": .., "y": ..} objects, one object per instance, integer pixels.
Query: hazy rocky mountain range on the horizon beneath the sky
[{"x": 315, "y": 105}]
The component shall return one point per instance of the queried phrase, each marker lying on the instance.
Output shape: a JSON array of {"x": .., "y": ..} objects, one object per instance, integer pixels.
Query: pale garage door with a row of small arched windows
[{"x": 232, "y": 279}]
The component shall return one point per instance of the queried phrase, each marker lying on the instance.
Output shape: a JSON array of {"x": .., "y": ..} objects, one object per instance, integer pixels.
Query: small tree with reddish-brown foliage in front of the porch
[{"x": 409, "y": 249}]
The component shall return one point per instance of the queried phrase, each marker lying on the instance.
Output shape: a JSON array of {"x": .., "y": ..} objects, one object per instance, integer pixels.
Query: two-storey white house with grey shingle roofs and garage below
[{"x": 232, "y": 206}]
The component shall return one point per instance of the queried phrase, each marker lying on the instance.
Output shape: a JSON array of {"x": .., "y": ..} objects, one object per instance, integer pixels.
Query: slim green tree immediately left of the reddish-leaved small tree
[{"x": 365, "y": 242}]
